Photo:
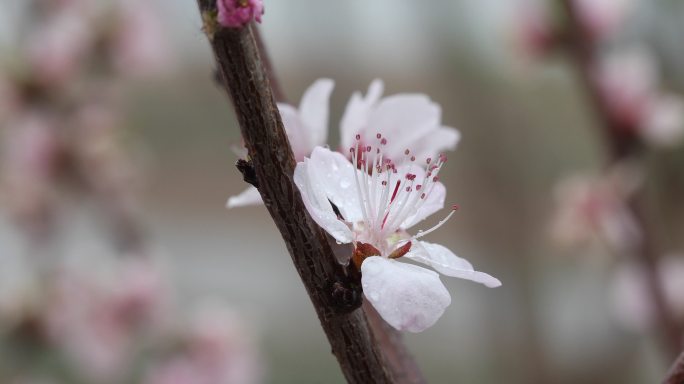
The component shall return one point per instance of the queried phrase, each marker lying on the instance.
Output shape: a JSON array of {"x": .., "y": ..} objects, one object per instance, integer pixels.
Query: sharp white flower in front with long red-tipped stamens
[{"x": 375, "y": 204}]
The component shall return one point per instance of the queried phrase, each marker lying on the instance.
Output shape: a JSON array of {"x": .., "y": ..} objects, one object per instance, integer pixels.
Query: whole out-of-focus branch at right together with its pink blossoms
[{"x": 634, "y": 117}]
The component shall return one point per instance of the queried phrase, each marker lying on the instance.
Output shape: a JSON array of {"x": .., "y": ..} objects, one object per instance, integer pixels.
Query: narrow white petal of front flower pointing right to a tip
[{"x": 446, "y": 262}]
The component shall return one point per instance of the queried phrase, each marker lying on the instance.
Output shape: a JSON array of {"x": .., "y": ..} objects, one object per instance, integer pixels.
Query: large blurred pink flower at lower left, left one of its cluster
[{"x": 95, "y": 320}]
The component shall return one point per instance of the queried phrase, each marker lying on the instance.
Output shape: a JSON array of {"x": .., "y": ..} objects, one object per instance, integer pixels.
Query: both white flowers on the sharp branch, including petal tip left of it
[{"x": 383, "y": 180}]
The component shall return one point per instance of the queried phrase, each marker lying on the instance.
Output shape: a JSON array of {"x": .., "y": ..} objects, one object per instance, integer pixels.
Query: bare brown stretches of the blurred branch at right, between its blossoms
[{"x": 623, "y": 143}]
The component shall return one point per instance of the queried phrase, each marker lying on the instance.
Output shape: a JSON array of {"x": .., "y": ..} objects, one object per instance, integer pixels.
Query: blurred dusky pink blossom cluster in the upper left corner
[{"x": 61, "y": 112}]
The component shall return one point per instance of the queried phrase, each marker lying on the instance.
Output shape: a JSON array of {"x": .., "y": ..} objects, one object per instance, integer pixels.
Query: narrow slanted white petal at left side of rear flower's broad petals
[{"x": 357, "y": 112}]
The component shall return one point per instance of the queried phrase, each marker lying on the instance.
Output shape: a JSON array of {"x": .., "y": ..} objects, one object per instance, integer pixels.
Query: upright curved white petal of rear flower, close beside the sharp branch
[{"x": 314, "y": 109}]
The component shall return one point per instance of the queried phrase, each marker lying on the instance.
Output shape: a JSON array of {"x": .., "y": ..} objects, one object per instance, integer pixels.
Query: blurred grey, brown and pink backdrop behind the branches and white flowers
[{"x": 135, "y": 133}]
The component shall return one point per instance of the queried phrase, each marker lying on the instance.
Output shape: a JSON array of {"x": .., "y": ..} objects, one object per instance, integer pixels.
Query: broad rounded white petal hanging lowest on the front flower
[{"x": 408, "y": 297}]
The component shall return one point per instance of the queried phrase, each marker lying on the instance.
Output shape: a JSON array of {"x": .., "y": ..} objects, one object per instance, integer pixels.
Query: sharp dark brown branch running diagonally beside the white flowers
[{"x": 335, "y": 293}]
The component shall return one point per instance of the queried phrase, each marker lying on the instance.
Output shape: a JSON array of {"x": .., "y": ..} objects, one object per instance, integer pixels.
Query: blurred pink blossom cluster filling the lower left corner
[{"x": 119, "y": 324}]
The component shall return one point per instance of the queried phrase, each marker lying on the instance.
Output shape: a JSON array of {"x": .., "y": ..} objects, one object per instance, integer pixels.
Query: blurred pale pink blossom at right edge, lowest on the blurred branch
[{"x": 633, "y": 305}]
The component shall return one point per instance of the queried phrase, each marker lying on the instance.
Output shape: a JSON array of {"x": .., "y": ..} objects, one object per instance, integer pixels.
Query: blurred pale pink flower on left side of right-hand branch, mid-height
[{"x": 590, "y": 207}]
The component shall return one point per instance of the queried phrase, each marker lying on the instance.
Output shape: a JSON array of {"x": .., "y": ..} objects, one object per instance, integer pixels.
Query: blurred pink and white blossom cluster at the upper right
[{"x": 627, "y": 78}]
